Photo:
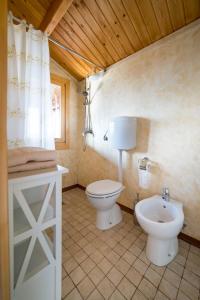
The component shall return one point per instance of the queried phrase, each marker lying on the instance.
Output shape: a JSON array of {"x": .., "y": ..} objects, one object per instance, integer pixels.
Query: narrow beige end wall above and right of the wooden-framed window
[{"x": 68, "y": 157}]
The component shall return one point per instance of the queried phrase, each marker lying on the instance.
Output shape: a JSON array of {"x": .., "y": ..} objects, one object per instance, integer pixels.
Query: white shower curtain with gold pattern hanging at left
[{"x": 29, "y": 100}]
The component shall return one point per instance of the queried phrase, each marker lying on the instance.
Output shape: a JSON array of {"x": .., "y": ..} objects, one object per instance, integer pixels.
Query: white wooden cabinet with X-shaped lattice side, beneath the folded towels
[{"x": 35, "y": 218}]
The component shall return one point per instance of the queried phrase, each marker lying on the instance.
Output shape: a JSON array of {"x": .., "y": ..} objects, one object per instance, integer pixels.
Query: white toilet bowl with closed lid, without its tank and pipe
[{"x": 103, "y": 195}]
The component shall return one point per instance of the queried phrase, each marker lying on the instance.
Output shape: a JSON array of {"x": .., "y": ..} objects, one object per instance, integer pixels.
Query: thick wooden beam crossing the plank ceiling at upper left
[{"x": 54, "y": 14}]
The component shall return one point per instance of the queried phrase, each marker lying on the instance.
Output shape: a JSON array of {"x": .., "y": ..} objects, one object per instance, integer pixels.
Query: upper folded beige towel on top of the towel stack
[{"x": 24, "y": 155}]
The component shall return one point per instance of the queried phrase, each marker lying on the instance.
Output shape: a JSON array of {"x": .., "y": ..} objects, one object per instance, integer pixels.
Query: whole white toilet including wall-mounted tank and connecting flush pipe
[{"x": 103, "y": 194}]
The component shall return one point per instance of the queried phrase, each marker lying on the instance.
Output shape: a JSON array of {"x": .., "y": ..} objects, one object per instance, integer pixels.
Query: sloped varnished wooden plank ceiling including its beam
[{"x": 104, "y": 31}]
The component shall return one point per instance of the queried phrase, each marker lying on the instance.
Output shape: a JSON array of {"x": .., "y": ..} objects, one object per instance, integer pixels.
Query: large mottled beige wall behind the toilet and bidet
[{"x": 161, "y": 86}]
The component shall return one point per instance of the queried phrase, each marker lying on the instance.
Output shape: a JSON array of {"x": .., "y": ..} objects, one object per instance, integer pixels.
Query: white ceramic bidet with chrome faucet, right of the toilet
[{"x": 162, "y": 221}]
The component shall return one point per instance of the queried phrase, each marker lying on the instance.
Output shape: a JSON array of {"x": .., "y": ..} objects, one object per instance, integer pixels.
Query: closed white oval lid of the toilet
[{"x": 104, "y": 187}]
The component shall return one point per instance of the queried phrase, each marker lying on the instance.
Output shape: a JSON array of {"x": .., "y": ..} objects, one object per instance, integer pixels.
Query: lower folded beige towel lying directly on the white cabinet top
[{"x": 32, "y": 166}]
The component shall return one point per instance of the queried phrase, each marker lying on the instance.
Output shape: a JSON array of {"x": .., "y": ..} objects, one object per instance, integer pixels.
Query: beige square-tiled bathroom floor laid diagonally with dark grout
[{"x": 112, "y": 264}]
